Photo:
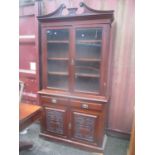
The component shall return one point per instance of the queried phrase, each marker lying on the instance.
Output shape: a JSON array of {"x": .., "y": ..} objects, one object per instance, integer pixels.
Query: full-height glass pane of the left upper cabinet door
[{"x": 57, "y": 58}]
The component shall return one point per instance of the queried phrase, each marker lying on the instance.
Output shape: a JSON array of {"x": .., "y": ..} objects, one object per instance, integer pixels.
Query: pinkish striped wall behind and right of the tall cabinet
[{"x": 122, "y": 46}]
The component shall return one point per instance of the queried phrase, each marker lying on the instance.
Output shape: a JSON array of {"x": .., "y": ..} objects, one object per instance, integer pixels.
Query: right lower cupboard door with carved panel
[{"x": 86, "y": 126}]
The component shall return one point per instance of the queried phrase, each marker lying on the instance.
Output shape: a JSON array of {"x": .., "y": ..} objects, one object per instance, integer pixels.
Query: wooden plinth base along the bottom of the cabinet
[{"x": 76, "y": 144}]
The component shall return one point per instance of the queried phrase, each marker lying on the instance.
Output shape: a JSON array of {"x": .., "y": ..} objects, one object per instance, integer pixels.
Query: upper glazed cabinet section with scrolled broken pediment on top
[{"x": 75, "y": 51}]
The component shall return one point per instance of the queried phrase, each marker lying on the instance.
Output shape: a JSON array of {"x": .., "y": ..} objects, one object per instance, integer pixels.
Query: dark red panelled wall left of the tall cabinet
[{"x": 28, "y": 51}]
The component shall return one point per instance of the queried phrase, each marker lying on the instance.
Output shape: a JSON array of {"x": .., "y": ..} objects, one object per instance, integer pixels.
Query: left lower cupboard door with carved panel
[{"x": 55, "y": 119}]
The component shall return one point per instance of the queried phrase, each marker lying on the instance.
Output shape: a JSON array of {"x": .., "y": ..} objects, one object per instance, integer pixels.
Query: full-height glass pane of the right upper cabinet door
[{"x": 88, "y": 54}]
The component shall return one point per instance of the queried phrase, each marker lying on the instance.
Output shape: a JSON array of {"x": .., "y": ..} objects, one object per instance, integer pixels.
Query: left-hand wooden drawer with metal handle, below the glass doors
[{"x": 52, "y": 100}]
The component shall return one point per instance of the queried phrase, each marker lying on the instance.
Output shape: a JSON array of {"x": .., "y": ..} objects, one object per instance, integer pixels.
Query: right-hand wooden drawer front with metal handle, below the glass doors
[{"x": 86, "y": 105}]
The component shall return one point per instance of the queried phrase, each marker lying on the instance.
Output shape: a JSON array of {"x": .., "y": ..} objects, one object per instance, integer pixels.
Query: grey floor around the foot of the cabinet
[{"x": 114, "y": 146}]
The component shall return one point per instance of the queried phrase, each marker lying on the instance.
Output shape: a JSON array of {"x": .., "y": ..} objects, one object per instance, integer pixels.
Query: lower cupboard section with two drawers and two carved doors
[{"x": 74, "y": 121}]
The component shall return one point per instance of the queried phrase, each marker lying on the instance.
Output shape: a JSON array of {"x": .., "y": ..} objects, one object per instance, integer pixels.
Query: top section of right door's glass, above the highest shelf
[{"x": 89, "y": 34}]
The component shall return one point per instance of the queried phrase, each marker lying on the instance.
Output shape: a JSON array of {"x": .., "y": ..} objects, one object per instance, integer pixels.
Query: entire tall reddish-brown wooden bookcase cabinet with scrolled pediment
[{"x": 75, "y": 75}]
